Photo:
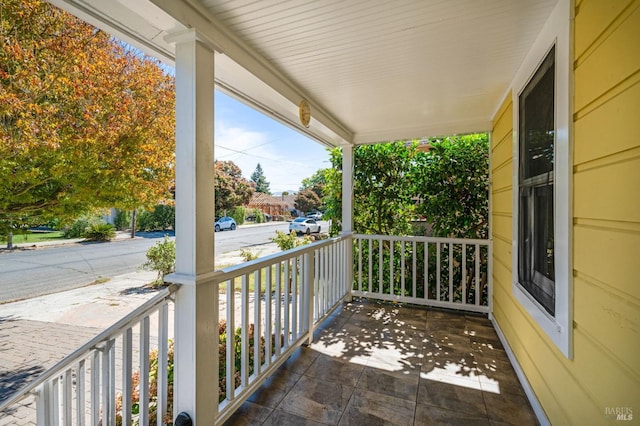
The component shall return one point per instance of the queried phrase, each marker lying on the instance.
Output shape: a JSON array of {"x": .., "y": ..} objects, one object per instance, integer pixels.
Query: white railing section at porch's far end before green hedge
[{"x": 445, "y": 272}]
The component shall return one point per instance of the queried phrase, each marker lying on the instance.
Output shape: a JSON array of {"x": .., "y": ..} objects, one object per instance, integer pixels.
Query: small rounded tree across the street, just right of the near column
[{"x": 231, "y": 189}]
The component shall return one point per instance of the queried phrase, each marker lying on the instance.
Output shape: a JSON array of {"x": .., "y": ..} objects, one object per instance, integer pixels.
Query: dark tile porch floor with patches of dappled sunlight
[{"x": 379, "y": 363}]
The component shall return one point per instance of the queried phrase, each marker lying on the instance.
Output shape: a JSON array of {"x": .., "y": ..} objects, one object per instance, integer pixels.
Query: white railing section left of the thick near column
[{"x": 100, "y": 382}]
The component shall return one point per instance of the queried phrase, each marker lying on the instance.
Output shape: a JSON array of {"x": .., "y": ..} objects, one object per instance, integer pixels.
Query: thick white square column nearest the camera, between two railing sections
[{"x": 196, "y": 304}]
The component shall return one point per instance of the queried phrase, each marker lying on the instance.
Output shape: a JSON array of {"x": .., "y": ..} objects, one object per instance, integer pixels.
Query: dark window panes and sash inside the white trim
[{"x": 536, "y": 269}]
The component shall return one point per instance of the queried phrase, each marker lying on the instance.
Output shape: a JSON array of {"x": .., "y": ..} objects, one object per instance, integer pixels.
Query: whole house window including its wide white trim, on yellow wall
[{"x": 542, "y": 175}]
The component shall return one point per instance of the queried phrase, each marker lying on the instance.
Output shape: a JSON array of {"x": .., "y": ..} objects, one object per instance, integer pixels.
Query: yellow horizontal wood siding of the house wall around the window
[{"x": 604, "y": 371}]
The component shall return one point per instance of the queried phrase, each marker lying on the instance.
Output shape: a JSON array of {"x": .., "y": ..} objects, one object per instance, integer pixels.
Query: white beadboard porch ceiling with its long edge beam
[{"x": 372, "y": 70}]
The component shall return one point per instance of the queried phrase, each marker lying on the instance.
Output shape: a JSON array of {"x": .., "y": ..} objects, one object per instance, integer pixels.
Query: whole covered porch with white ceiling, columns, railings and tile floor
[{"x": 355, "y": 329}]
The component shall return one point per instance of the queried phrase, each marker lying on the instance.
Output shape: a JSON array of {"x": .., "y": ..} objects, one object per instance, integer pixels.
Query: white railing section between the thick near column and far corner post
[{"x": 280, "y": 299}]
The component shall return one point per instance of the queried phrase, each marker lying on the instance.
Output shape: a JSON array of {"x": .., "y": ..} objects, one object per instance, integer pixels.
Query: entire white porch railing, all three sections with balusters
[{"x": 270, "y": 306}]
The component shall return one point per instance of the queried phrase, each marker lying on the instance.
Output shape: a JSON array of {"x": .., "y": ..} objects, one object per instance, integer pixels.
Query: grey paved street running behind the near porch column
[{"x": 34, "y": 272}]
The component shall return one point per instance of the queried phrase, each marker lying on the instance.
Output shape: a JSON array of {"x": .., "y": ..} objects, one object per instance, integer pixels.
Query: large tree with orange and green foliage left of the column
[{"x": 86, "y": 121}]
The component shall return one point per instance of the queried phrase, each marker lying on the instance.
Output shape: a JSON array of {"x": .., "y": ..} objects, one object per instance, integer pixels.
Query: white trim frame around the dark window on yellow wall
[{"x": 557, "y": 30}]
